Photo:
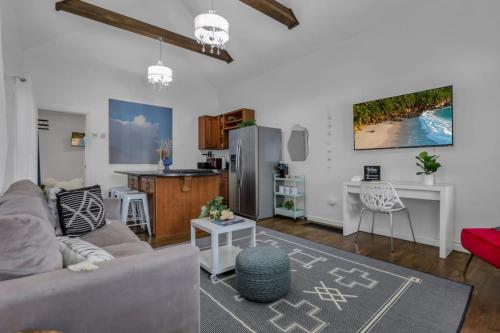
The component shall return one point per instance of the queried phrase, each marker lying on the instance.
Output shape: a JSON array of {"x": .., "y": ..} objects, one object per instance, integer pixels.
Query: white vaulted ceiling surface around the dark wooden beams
[{"x": 257, "y": 42}]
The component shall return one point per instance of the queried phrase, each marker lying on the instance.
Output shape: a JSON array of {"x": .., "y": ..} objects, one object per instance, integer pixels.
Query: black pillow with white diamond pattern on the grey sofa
[{"x": 80, "y": 211}]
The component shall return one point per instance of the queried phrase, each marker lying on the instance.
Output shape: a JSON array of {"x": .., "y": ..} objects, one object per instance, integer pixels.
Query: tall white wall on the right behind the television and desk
[{"x": 448, "y": 42}]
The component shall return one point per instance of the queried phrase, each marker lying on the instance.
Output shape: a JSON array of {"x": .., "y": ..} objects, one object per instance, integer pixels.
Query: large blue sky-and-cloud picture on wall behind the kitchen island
[{"x": 137, "y": 131}]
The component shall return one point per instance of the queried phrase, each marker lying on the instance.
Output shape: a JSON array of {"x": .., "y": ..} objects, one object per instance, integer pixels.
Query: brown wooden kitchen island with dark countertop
[{"x": 174, "y": 198}]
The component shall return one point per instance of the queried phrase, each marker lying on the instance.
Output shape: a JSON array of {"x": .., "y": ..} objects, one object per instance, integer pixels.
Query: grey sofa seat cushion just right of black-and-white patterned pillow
[{"x": 112, "y": 233}]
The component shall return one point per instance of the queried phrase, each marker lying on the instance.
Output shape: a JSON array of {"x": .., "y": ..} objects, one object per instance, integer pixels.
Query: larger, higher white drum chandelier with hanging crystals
[{"x": 212, "y": 30}]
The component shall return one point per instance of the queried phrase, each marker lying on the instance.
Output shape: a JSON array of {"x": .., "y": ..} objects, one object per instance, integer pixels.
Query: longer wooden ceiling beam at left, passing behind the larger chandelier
[{"x": 120, "y": 21}]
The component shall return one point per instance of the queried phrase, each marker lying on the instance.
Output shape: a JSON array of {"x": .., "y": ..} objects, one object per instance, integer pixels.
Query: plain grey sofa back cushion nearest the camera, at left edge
[{"x": 27, "y": 246}]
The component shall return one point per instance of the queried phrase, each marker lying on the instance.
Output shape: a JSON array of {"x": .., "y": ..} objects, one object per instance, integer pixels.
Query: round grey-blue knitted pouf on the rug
[{"x": 262, "y": 273}]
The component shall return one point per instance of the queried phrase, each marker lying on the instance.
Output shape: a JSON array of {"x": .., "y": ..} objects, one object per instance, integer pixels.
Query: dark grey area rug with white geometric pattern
[{"x": 334, "y": 291}]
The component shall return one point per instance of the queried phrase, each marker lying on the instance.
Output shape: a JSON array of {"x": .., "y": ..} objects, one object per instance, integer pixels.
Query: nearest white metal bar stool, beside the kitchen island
[{"x": 137, "y": 202}]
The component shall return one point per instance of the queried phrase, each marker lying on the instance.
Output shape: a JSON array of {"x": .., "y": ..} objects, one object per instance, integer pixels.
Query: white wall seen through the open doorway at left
[{"x": 58, "y": 159}]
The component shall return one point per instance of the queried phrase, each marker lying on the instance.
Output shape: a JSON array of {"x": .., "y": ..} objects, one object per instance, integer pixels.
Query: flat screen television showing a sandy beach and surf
[{"x": 420, "y": 119}]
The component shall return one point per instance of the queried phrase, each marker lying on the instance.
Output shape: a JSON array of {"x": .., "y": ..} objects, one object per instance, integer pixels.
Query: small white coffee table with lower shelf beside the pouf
[{"x": 220, "y": 259}]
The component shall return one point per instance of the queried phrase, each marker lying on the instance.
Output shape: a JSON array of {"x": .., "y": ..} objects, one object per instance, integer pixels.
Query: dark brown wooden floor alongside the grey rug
[{"x": 484, "y": 309}]
